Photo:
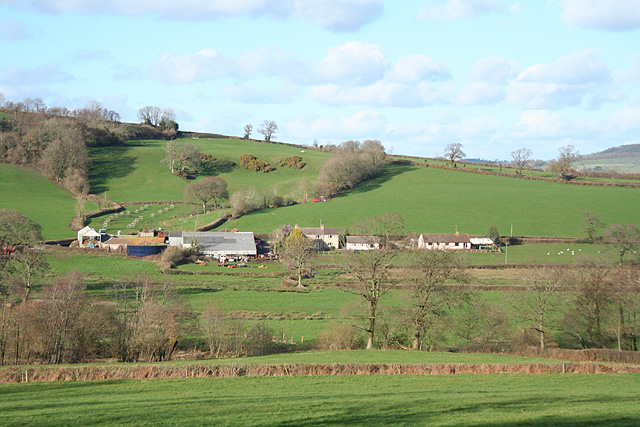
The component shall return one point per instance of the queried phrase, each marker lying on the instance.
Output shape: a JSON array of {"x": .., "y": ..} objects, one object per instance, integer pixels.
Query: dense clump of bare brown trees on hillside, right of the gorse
[{"x": 352, "y": 163}]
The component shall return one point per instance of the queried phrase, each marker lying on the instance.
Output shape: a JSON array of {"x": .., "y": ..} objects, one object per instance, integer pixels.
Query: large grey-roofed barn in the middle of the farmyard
[{"x": 218, "y": 243}]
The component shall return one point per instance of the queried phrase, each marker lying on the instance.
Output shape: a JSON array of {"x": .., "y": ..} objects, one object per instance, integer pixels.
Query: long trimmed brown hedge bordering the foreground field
[{"x": 200, "y": 370}]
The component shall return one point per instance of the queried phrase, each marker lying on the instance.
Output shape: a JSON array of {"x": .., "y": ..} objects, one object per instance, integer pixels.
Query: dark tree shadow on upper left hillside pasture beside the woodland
[{"x": 109, "y": 163}]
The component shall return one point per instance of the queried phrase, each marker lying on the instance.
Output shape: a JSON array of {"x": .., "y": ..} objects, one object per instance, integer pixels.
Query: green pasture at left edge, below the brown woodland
[{"x": 27, "y": 191}]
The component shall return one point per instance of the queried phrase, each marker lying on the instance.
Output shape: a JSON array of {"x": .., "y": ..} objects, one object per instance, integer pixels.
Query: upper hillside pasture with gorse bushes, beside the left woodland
[{"x": 134, "y": 172}]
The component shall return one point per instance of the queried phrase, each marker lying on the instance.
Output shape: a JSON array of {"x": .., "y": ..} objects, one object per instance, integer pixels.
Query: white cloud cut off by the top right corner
[{"x": 617, "y": 15}]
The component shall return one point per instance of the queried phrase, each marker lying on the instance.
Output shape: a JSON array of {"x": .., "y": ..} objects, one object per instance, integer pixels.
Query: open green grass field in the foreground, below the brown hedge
[{"x": 471, "y": 400}]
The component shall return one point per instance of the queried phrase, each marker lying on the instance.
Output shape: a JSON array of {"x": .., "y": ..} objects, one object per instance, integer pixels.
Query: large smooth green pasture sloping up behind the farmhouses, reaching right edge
[{"x": 439, "y": 201}]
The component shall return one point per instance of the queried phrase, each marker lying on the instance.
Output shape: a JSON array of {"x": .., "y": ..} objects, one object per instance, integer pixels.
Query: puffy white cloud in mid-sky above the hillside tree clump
[{"x": 353, "y": 63}]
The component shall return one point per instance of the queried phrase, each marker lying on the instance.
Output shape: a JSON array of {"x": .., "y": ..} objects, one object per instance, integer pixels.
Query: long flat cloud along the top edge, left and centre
[{"x": 338, "y": 15}]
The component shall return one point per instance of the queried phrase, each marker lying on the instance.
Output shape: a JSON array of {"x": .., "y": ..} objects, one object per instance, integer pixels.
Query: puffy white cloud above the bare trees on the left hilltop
[{"x": 201, "y": 66}]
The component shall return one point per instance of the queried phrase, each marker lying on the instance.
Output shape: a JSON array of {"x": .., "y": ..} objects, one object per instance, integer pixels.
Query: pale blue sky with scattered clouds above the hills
[{"x": 493, "y": 75}]
